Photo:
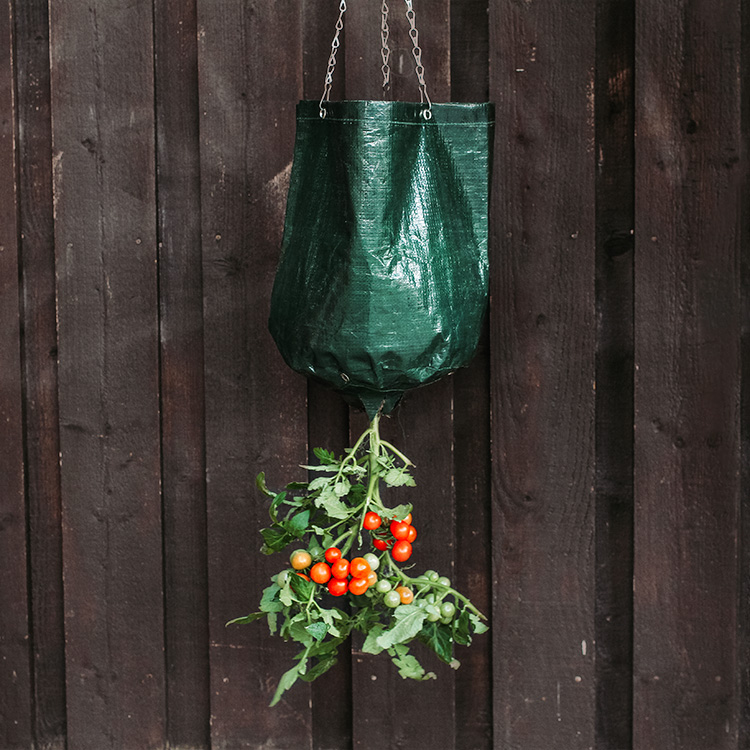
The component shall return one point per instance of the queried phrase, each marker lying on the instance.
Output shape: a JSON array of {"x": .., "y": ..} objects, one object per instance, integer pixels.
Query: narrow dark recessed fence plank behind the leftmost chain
[{"x": 327, "y": 414}]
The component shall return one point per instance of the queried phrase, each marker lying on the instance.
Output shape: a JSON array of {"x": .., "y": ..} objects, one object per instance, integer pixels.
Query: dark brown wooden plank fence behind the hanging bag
[{"x": 581, "y": 480}]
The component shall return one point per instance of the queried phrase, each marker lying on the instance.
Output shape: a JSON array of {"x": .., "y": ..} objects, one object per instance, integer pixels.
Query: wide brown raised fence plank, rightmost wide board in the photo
[{"x": 687, "y": 322}]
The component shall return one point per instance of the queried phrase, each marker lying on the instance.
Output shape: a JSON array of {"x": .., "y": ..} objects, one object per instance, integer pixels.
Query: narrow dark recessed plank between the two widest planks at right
[{"x": 615, "y": 159}]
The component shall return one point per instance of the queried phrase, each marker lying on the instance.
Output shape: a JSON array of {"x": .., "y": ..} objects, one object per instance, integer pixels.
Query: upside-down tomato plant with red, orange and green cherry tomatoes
[{"x": 347, "y": 543}]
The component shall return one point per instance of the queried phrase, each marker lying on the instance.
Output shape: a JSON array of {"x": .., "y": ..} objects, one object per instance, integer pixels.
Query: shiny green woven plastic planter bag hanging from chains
[{"x": 382, "y": 283}]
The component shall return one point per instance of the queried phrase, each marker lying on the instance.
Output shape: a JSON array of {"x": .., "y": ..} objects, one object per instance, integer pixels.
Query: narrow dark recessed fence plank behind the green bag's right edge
[{"x": 471, "y": 420}]
